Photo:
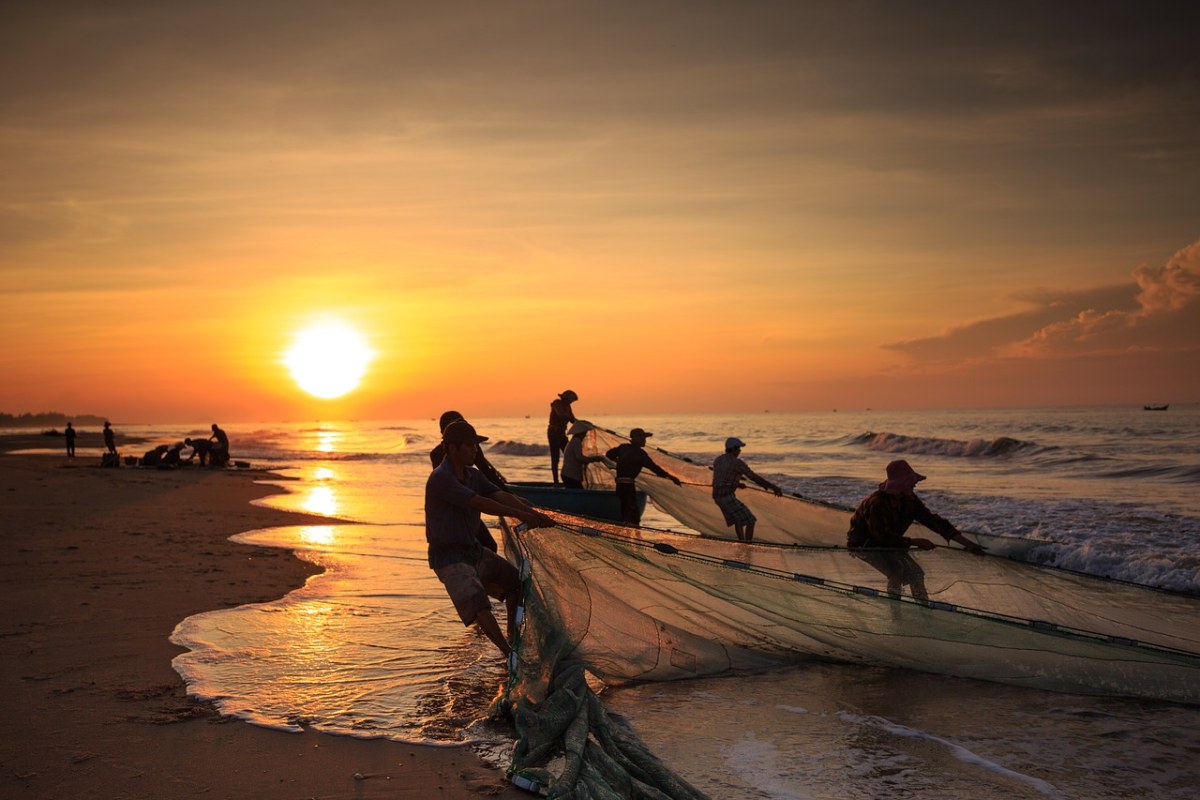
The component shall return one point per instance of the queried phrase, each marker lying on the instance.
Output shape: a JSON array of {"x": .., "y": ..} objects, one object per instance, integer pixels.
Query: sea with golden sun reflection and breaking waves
[{"x": 371, "y": 647}]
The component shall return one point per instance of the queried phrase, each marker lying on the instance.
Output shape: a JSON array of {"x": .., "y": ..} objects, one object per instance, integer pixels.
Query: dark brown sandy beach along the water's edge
[{"x": 100, "y": 566}]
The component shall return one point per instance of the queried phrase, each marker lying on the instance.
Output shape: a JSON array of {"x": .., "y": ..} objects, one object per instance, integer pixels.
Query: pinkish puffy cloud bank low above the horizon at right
[{"x": 1157, "y": 312}]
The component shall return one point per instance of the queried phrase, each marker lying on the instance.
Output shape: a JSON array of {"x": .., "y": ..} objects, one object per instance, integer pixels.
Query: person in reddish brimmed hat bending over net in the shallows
[{"x": 879, "y": 524}]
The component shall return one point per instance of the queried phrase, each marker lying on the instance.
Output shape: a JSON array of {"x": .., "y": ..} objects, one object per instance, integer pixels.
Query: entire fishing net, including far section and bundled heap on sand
[{"x": 621, "y": 605}]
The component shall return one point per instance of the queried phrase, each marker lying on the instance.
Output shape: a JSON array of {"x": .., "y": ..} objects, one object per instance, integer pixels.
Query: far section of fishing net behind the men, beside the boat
[{"x": 788, "y": 520}]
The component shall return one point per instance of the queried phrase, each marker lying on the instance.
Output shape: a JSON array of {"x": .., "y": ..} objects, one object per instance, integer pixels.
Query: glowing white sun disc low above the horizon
[{"x": 328, "y": 360}]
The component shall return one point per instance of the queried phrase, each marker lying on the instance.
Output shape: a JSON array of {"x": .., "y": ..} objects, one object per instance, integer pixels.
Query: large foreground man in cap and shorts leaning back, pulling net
[{"x": 455, "y": 496}]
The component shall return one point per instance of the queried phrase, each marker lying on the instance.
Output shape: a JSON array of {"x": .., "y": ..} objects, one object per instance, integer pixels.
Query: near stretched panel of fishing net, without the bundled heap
[{"x": 638, "y": 605}]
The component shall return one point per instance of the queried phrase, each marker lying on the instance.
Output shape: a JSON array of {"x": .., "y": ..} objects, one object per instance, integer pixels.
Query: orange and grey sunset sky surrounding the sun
[{"x": 667, "y": 207}]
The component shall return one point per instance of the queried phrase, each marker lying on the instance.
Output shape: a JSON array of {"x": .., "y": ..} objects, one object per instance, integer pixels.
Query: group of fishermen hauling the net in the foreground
[{"x": 464, "y": 486}]
